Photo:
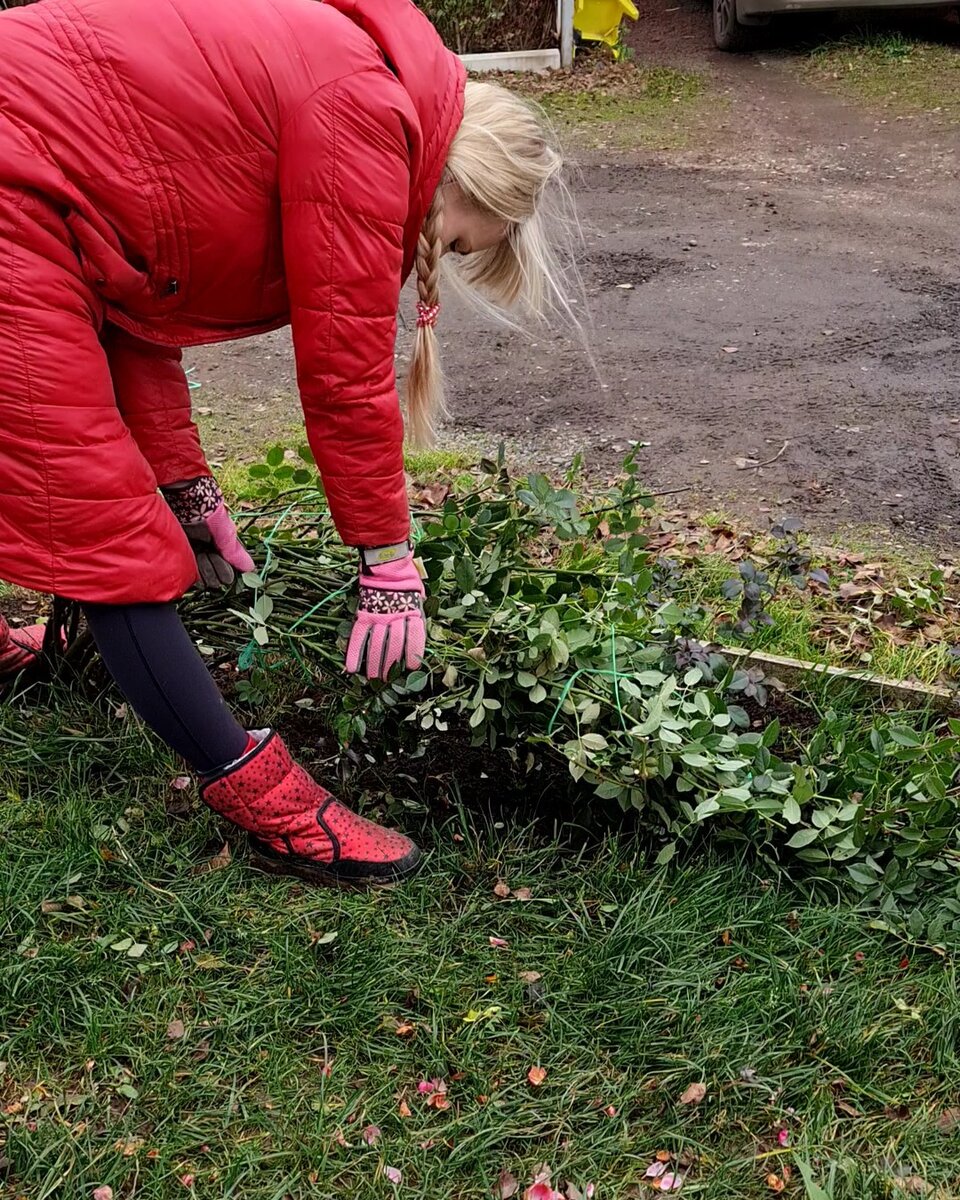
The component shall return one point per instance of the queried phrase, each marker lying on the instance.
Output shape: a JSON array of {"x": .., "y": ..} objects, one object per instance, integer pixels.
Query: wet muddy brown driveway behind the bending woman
[{"x": 787, "y": 287}]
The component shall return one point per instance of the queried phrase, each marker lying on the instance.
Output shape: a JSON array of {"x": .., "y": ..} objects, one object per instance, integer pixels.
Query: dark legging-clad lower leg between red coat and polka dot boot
[{"x": 163, "y": 676}]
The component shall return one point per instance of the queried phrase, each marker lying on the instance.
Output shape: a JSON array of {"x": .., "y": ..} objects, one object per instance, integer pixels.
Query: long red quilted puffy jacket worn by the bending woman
[{"x": 176, "y": 172}]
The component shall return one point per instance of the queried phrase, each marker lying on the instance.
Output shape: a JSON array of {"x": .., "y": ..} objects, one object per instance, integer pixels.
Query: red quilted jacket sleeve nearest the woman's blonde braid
[{"x": 345, "y": 181}]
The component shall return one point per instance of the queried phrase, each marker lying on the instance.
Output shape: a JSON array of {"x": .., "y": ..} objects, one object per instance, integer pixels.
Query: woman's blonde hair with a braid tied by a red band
[{"x": 507, "y": 164}]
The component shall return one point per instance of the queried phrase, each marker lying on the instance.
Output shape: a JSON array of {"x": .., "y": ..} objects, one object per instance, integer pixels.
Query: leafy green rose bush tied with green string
[{"x": 556, "y": 633}]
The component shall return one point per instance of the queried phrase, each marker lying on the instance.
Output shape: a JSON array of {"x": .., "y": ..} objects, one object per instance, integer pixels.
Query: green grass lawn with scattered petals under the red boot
[{"x": 173, "y": 1033}]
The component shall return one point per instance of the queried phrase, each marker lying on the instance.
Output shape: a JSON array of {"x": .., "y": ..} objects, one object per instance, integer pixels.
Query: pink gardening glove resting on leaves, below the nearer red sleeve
[{"x": 389, "y": 627}]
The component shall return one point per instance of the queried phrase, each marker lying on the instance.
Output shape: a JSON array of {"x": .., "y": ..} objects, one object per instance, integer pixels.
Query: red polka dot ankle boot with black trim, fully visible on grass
[{"x": 298, "y": 829}]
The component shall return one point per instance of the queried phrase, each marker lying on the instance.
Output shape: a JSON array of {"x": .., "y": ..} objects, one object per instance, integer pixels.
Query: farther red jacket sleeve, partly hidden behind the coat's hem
[{"x": 154, "y": 399}]
